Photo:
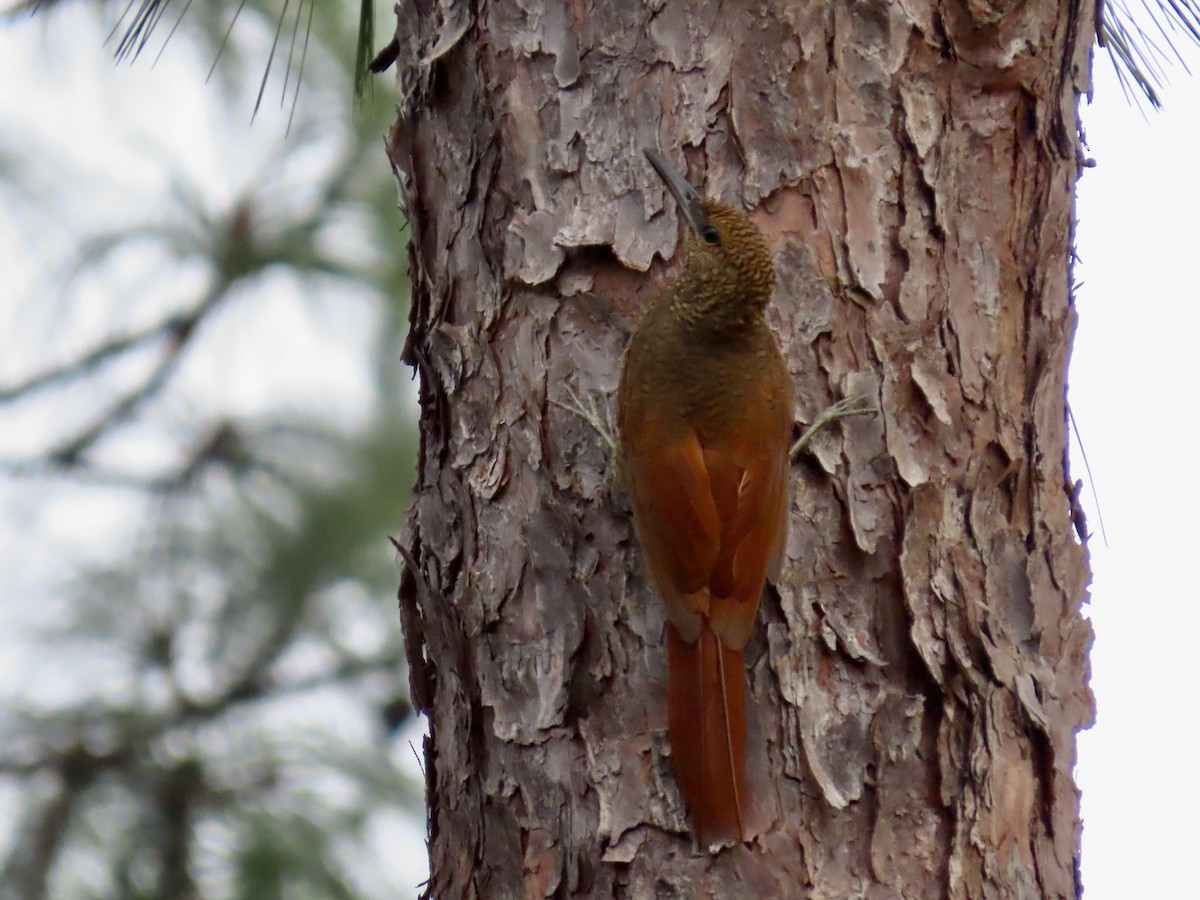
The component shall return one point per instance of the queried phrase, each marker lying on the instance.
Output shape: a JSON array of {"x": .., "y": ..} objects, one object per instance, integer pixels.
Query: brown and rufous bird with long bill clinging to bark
[{"x": 705, "y": 415}]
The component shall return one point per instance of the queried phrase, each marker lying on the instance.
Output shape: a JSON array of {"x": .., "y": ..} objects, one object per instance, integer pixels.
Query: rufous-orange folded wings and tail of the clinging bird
[{"x": 712, "y": 524}]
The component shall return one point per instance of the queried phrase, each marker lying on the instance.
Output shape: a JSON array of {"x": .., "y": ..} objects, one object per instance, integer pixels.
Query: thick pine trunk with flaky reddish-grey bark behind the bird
[{"x": 919, "y": 675}]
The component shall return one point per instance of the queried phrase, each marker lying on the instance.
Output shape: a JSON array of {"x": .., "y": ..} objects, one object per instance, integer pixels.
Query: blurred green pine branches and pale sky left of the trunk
[{"x": 206, "y": 437}]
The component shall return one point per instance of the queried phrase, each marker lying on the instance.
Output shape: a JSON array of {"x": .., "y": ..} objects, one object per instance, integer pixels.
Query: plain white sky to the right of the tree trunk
[{"x": 1133, "y": 393}]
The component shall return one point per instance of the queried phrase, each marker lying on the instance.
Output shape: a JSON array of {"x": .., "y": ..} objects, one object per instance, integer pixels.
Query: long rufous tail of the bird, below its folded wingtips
[{"x": 706, "y": 715}]
